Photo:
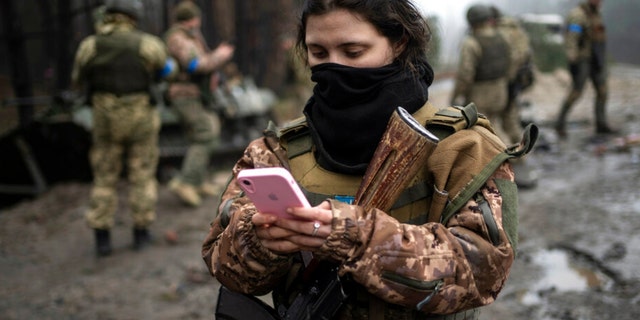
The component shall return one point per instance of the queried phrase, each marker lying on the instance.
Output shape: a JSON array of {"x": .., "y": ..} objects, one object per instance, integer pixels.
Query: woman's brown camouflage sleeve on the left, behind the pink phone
[{"x": 232, "y": 250}]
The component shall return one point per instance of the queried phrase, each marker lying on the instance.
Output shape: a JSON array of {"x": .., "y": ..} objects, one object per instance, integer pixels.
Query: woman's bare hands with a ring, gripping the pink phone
[{"x": 291, "y": 235}]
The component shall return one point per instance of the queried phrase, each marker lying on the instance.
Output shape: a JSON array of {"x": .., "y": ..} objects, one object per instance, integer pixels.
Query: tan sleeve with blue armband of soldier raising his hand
[{"x": 191, "y": 55}]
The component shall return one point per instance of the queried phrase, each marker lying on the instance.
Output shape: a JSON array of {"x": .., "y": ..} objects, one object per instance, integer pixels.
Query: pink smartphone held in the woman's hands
[{"x": 272, "y": 190}]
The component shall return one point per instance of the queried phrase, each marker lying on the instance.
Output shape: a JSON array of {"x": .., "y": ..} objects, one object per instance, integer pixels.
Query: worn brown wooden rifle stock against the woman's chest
[{"x": 402, "y": 151}]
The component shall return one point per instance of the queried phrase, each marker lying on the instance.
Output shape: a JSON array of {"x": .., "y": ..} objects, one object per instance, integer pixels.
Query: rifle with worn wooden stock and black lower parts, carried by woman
[{"x": 402, "y": 151}]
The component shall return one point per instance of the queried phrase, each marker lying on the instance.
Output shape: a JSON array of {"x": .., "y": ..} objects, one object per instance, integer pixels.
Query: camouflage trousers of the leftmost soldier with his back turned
[{"x": 125, "y": 125}]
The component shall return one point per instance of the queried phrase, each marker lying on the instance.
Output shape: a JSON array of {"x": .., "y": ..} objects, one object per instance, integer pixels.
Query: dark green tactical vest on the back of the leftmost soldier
[{"x": 118, "y": 67}]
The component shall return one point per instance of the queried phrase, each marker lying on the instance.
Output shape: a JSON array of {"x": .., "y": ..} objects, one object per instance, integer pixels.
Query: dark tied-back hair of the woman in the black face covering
[{"x": 397, "y": 20}]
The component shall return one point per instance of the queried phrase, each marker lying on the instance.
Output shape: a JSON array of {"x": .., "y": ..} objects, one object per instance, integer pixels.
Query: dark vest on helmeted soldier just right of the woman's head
[{"x": 494, "y": 62}]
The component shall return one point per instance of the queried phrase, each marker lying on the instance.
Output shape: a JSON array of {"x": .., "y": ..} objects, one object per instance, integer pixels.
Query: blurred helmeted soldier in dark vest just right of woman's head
[{"x": 481, "y": 77}]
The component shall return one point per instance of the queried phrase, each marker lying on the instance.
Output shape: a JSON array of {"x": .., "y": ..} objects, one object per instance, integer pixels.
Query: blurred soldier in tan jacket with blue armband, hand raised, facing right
[{"x": 190, "y": 94}]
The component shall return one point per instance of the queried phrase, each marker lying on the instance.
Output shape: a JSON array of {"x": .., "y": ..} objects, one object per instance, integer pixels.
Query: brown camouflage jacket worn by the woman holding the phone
[{"x": 394, "y": 261}]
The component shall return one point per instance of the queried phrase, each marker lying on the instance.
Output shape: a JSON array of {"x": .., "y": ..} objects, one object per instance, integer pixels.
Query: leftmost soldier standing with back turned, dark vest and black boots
[{"x": 118, "y": 65}]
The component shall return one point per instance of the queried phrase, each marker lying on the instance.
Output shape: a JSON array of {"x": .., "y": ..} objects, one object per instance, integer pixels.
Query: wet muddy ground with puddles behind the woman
[{"x": 578, "y": 256}]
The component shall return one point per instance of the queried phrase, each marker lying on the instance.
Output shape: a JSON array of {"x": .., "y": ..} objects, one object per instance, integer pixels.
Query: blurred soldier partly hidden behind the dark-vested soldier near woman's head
[{"x": 520, "y": 77}]
